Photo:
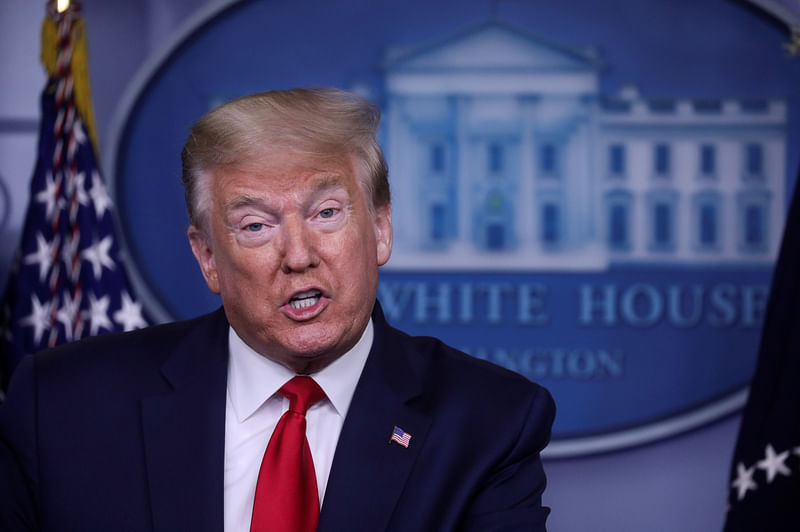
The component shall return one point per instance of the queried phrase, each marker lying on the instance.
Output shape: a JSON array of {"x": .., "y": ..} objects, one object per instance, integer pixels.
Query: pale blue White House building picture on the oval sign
[{"x": 504, "y": 154}]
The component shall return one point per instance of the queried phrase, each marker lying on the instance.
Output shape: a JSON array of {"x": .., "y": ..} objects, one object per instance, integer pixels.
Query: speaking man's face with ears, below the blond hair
[{"x": 293, "y": 249}]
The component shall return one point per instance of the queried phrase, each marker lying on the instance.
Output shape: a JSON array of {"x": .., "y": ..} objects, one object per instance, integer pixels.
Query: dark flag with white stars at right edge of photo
[{"x": 764, "y": 488}]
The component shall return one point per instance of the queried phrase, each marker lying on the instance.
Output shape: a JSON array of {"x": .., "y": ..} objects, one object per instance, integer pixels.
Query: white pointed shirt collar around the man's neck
[{"x": 253, "y": 378}]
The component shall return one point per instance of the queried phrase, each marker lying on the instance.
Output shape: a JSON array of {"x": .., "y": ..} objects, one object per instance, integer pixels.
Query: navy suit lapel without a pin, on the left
[{"x": 184, "y": 432}]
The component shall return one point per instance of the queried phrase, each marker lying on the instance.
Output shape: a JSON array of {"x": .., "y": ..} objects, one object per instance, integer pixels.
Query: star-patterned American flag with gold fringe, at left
[{"x": 67, "y": 281}]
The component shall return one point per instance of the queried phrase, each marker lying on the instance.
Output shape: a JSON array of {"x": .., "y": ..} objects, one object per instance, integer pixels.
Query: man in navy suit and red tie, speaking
[{"x": 176, "y": 427}]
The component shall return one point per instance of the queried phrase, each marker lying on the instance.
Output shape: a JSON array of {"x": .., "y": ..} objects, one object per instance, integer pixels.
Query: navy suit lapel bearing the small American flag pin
[{"x": 369, "y": 471}]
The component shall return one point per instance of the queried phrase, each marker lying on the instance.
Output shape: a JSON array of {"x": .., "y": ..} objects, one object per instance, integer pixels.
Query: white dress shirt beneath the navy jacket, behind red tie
[{"x": 254, "y": 406}]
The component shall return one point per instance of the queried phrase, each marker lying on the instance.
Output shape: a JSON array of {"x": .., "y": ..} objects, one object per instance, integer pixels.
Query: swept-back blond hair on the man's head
[{"x": 320, "y": 123}]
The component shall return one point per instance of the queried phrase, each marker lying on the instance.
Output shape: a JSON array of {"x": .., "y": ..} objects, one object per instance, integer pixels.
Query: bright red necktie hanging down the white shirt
[{"x": 286, "y": 492}]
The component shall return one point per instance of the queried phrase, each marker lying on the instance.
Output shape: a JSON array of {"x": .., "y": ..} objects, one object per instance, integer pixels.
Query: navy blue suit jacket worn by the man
[{"x": 127, "y": 432}]
